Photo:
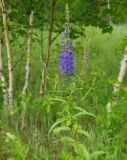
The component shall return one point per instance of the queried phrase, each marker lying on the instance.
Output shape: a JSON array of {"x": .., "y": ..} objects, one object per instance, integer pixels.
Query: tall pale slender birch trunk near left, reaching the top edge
[{"x": 6, "y": 33}]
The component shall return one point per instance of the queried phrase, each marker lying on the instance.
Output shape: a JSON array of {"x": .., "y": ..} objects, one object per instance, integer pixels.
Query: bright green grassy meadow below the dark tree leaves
[{"x": 71, "y": 122}]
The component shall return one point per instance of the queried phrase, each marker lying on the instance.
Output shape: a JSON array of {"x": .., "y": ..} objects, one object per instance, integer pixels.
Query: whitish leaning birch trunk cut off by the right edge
[{"x": 122, "y": 71}]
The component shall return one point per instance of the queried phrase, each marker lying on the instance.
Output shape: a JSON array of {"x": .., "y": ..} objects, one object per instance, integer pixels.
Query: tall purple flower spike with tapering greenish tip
[{"x": 66, "y": 59}]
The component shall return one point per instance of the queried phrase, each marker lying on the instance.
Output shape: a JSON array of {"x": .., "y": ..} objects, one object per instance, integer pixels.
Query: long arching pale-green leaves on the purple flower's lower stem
[{"x": 67, "y": 130}]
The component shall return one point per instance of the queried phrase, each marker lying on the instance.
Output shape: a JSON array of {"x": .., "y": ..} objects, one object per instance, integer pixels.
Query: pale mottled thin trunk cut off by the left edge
[{"x": 2, "y": 78}]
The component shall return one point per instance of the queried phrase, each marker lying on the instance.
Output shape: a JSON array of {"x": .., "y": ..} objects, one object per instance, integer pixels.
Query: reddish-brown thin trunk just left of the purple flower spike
[{"x": 45, "y": 65}]
